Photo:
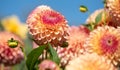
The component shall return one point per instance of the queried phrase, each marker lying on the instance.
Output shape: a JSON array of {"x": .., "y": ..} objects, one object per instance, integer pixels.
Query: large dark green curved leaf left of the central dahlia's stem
[{"x": 33, "y": 56}]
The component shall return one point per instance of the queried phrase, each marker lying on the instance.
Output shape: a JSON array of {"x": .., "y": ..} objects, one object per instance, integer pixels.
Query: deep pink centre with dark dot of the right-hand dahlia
[{"x": 108, "y": 43}]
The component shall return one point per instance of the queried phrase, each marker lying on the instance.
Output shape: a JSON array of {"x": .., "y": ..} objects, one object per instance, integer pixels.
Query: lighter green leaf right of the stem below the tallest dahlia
[{"x": 53, "y": 54}]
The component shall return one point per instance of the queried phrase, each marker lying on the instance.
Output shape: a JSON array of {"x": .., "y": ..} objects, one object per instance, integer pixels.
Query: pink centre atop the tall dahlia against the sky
[{"x": 52, "y": 17}]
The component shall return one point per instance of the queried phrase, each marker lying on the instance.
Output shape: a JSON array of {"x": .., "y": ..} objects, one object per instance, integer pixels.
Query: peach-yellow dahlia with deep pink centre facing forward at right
[{"x": 105, "y": 41}]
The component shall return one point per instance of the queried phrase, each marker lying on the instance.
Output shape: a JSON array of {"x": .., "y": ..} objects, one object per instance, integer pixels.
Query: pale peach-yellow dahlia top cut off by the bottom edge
[{"x": 90, "y": 62}]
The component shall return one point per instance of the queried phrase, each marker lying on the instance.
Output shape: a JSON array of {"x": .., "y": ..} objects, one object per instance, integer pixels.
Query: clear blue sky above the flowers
[{"x": 69, "y": 8}]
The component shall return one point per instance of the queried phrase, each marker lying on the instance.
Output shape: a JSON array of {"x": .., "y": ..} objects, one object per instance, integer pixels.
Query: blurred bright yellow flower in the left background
[{"x": 12, "y": 24}]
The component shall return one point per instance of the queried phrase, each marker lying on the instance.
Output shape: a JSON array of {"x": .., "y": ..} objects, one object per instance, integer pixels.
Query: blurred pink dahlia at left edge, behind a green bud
[{"x": 10, "y": 56}]
